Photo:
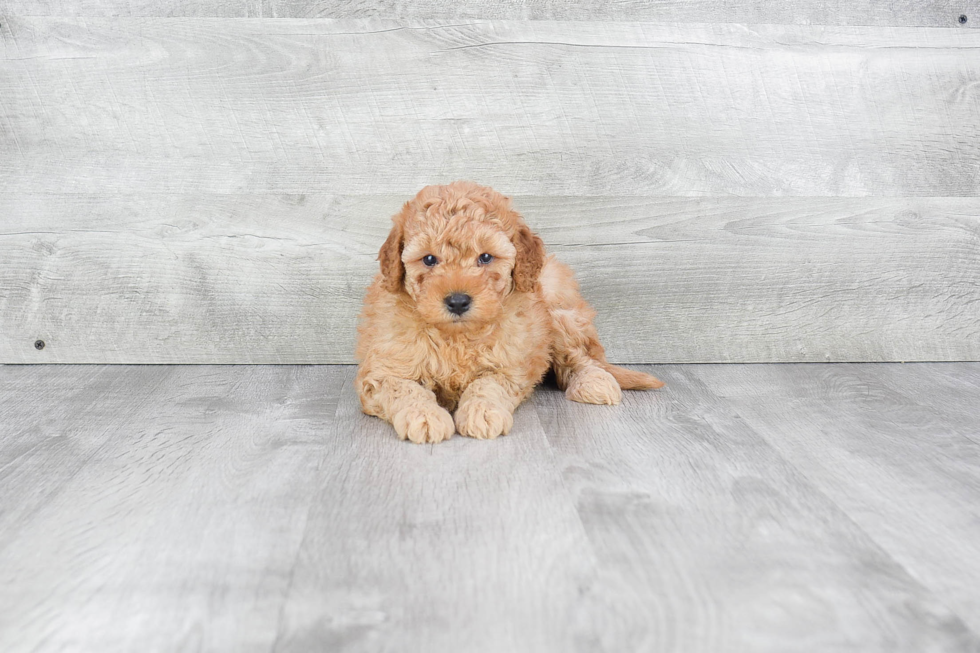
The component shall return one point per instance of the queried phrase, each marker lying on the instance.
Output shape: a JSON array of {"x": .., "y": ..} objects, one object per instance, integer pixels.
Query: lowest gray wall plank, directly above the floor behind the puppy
[{"x": 279, "y": 279}]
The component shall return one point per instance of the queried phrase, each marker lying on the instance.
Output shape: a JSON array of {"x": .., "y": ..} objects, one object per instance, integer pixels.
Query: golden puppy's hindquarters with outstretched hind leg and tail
[{"x": 578, "y": 357}]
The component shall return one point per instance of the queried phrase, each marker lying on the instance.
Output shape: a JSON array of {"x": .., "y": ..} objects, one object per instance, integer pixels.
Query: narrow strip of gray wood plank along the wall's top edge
[{"x": 937, "y": 13}]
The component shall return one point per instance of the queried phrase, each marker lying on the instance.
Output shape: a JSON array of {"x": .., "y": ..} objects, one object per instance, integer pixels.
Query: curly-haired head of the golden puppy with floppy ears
[{"x": 458, "y": 251}]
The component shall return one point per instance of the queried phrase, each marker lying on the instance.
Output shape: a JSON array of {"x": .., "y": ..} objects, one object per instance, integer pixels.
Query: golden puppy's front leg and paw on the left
[{"x": 410, "y": 408}]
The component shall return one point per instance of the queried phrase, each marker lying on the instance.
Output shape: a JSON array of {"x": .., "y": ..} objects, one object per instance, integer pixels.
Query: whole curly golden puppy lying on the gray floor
[{"x": 467, "y": 315}]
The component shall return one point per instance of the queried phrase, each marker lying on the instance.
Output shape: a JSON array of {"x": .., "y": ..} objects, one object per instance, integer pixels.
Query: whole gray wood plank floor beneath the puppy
[{"x": 742, "y": 508}]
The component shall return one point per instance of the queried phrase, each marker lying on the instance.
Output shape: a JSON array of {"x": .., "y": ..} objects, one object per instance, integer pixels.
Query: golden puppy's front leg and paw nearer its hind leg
[{"x": 486, "y": 407}]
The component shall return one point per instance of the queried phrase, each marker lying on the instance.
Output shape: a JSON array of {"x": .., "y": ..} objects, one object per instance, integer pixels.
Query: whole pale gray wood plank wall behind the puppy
[{"x": 733, "y": 181}]
